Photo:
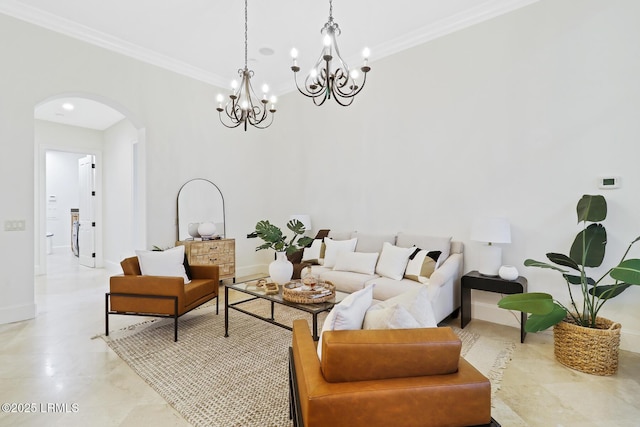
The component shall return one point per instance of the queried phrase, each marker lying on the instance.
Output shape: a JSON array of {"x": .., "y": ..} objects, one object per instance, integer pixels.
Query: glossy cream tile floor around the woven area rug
[{"x": 56, "y": 362}]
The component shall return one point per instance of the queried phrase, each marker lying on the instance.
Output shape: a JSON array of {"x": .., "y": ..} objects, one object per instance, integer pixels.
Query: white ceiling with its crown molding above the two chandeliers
[{"x": 204, "y": 39}]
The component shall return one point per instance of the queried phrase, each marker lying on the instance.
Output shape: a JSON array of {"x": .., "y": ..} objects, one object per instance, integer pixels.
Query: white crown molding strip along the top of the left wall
[{"x": 73, "y": 29}]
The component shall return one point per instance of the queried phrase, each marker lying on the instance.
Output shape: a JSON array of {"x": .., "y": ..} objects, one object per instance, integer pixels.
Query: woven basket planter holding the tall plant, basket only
[{"x": 590, "y": 350}]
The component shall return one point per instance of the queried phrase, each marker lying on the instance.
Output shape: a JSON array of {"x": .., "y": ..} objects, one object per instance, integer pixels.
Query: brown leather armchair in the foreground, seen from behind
[{"x": 401, "y": 377}]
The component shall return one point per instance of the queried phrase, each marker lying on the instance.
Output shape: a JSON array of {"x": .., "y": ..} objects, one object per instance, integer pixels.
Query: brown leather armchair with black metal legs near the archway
[{"x": 156, "y": 296}]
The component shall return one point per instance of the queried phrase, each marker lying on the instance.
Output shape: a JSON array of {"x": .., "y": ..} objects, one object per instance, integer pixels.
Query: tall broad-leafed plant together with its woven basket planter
[{"x": 579, "y": 321}]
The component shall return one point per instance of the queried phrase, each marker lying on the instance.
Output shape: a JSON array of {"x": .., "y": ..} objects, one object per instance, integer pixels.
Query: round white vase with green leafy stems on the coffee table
[{"x": 281, "y": 270}]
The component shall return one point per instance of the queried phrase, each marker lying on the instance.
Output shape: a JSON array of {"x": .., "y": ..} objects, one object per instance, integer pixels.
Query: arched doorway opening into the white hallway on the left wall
[{"x": 72, "y": 123}]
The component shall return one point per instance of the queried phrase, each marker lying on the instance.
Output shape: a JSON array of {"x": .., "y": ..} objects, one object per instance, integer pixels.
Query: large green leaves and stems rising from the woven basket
[{"x": 587, "y": 251}]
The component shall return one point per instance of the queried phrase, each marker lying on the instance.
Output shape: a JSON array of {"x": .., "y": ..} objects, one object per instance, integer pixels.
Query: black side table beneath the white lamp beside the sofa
[{"x": 475, "y": 280}]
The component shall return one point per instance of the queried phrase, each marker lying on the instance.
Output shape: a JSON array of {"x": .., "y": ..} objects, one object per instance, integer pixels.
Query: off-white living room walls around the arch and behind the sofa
[{"x": 516, "y": 116}]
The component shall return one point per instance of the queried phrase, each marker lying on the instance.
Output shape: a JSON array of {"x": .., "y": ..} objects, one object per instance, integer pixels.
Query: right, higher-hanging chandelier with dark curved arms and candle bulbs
[{"x": 330, "y": 76}]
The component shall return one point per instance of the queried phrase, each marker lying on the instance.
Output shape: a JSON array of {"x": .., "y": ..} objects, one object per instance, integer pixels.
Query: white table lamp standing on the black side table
[{"x": 491, "y": 231}]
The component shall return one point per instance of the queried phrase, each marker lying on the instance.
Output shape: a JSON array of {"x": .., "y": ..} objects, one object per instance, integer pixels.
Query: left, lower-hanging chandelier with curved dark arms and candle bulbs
[{"x": 243, "y": 106}]
